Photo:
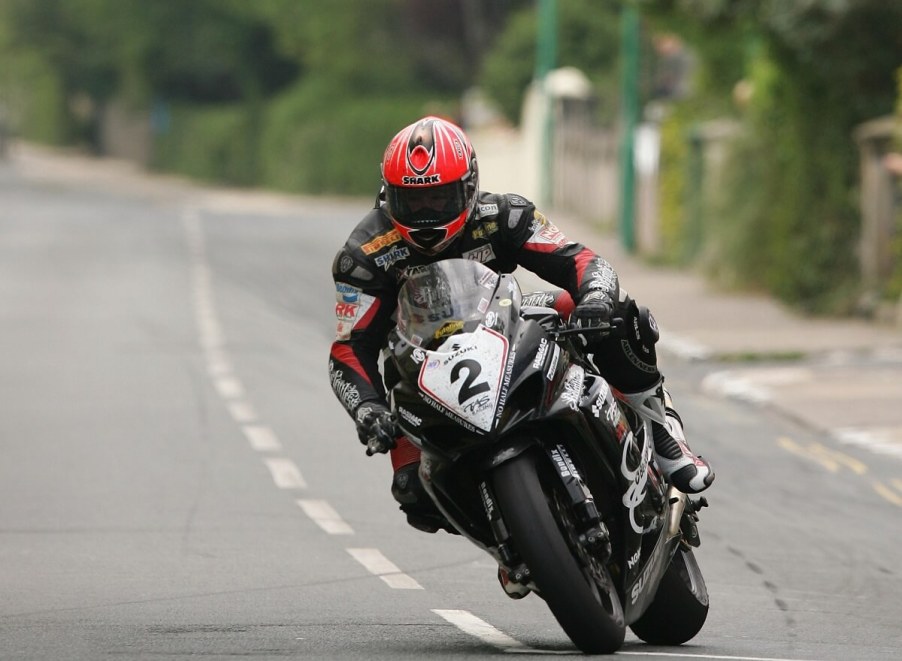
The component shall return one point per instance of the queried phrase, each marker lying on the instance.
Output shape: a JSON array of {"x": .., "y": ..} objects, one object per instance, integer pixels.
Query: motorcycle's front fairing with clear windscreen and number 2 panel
[{"x": 456, "y": 357}]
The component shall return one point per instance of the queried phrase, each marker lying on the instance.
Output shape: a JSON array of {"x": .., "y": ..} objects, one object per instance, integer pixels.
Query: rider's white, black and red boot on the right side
[{"x": 683, "y": 469}]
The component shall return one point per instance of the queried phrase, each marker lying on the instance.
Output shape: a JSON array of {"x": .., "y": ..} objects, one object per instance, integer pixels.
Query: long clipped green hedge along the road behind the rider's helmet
[{"x": 307, "y": 140}]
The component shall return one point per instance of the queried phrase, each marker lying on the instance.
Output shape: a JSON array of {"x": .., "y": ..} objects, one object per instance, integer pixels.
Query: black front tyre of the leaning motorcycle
[{"x": 576, "y": 585}]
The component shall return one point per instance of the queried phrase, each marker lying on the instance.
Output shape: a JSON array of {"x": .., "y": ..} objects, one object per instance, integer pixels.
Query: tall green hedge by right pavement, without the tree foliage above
[{"x": 789, "y": 221}]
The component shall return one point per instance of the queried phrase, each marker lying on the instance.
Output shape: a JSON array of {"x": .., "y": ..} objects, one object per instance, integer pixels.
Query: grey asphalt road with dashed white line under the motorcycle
[{"x": 177, "y": 479}]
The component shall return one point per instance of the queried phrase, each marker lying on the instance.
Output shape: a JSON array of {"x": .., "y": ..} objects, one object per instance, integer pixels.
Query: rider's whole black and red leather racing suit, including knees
[{"x": 505, "y": 231}]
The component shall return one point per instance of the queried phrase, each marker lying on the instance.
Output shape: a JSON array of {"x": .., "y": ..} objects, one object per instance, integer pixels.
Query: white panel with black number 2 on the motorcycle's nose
[{"x": 468, "y": 380}]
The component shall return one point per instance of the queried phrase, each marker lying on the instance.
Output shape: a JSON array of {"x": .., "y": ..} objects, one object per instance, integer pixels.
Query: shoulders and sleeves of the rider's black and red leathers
[{"x": 503, "y": 232}]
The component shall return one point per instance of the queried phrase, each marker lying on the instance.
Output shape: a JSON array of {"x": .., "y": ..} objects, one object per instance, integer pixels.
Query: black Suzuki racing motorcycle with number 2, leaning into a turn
[{"x": 530, "y": 454}]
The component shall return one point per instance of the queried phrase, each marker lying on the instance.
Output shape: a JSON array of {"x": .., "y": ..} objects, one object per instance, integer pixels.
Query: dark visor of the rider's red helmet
[{"x": 423, "y": 207}]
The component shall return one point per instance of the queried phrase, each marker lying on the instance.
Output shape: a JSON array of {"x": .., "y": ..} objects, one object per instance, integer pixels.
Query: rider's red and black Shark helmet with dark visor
[{"x": 431, "y": 181}]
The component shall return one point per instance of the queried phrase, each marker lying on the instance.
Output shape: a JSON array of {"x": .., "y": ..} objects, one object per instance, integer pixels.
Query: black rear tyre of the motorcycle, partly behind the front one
[{"x": 680, "y": 606}]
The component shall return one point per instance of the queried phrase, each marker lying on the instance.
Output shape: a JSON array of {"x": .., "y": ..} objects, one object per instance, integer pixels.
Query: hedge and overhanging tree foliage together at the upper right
[{"x": 815, "y": 72}]
